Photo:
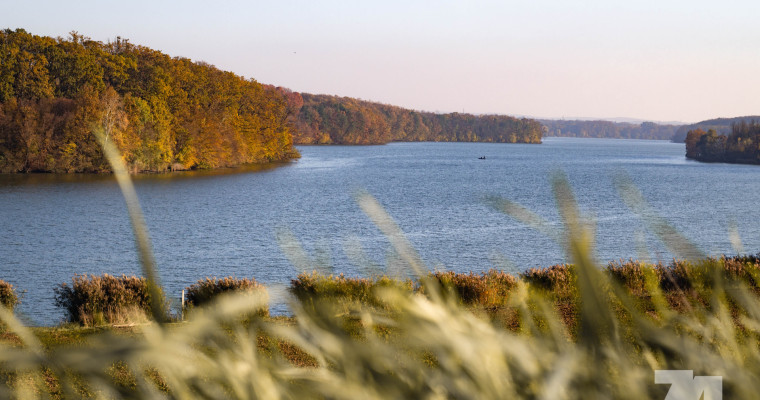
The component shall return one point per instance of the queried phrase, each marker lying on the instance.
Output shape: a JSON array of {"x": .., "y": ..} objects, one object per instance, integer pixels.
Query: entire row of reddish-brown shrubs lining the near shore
[{"x": 91, "y": 300}]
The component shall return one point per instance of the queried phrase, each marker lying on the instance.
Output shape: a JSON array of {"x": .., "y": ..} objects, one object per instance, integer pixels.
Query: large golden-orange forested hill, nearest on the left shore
[{"x": 162, "y": 112}]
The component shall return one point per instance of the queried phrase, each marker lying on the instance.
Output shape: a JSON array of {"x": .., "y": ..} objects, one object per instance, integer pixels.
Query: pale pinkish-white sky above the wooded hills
[{"x": 661, "y": 60}]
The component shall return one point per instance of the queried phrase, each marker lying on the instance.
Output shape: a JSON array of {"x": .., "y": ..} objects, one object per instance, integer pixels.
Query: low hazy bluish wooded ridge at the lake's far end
[{"x": 608, "y": 129}]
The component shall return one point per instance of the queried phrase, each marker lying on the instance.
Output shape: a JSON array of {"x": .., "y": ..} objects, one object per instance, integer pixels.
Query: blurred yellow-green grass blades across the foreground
[{"x": 628, "y": 320}]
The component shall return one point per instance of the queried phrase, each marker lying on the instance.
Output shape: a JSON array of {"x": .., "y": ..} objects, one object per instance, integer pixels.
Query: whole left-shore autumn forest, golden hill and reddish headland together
[{"x": 170, "y": 113}]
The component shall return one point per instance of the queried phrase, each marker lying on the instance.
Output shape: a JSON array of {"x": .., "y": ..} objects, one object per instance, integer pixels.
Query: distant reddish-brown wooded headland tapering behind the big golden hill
[{"x": 341, "y": 120}]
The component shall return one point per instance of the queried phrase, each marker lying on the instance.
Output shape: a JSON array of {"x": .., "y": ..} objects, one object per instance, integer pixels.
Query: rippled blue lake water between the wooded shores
[{"x": 224, "y": 223}]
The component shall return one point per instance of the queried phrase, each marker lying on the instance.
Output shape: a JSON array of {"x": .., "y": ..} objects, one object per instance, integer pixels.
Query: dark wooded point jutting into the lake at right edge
[{"x": 742, "y": 145}]
